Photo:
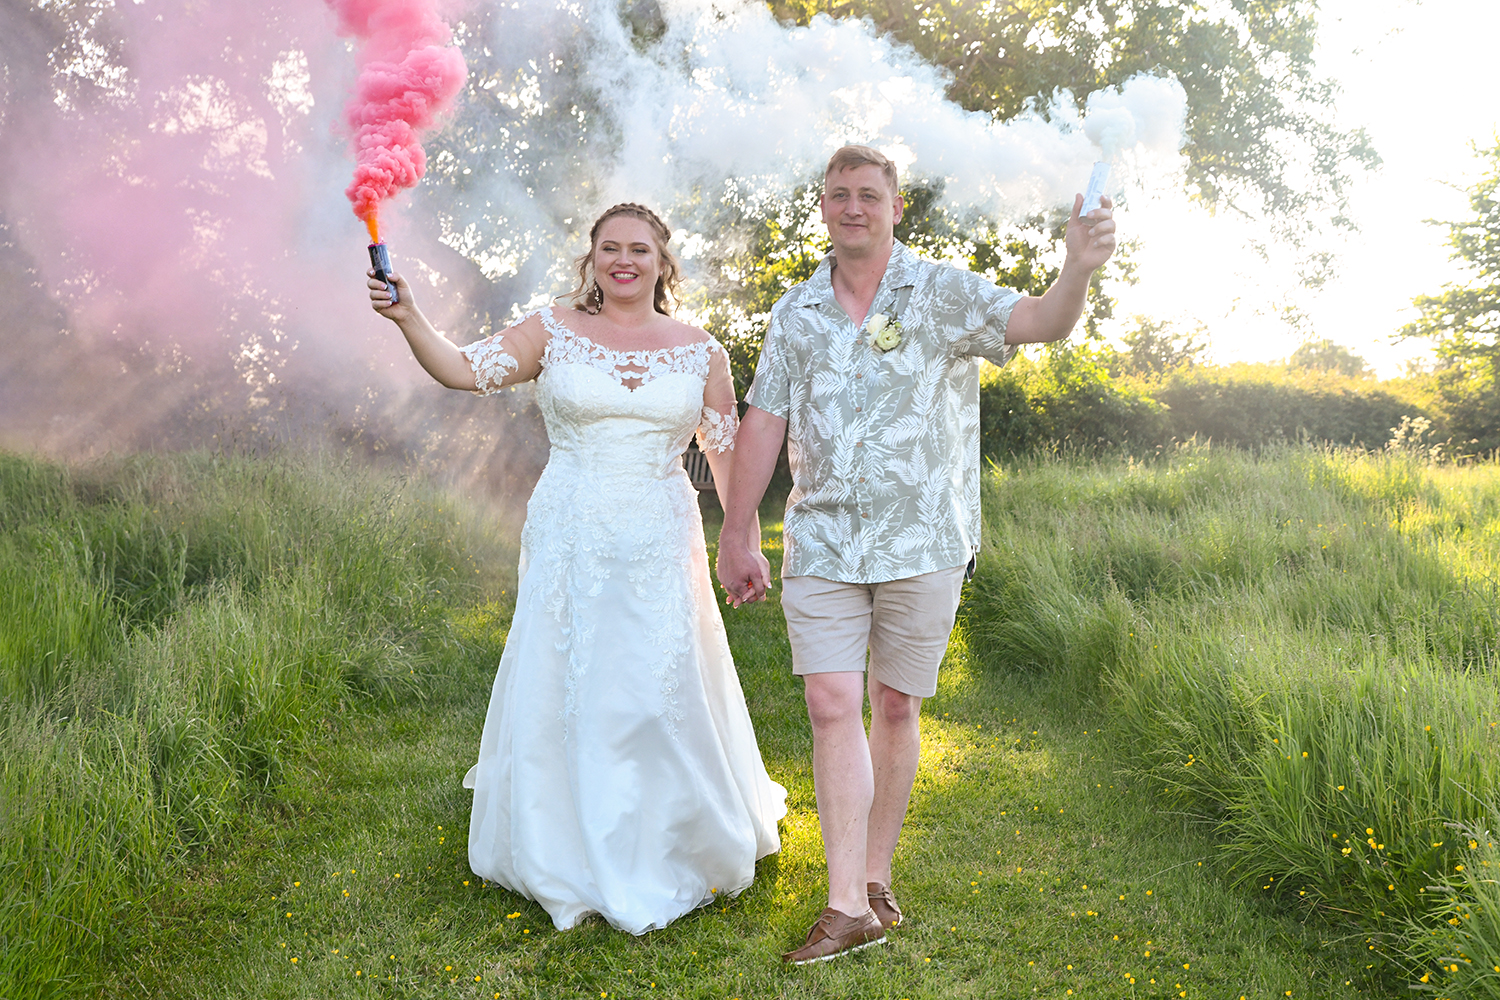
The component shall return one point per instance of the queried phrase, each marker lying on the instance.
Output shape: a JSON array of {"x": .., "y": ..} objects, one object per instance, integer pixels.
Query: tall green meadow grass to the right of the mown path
[{"x": 1298, "y": 650}]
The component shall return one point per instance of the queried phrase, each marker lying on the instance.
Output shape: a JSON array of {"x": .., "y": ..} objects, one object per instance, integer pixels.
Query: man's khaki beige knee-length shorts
[{"x": 904, "y": 624}]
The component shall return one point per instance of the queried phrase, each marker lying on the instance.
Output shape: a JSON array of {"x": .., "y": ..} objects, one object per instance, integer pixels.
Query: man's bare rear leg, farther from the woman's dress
[{"x": 895, "y": 750}]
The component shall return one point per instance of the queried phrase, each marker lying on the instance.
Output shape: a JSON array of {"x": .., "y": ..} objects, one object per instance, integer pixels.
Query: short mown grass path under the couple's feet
[{"x": 1028, "y": 867}]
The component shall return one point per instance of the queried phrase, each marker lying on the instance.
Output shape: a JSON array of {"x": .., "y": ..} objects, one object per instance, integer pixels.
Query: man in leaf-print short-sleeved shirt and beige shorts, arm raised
[{"x": 872, "y": 367}]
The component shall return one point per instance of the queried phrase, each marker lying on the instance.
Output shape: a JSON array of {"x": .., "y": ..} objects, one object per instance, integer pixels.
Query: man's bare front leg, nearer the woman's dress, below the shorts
[{"x": 844, "y": 783}]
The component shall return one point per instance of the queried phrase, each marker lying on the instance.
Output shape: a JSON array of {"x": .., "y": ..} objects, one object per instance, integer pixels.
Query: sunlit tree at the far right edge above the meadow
[{"x": 1465, "y": 320}]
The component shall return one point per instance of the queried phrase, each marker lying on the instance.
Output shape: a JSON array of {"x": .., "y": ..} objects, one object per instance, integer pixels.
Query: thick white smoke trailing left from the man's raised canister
[{"x": 734, "y": 94}]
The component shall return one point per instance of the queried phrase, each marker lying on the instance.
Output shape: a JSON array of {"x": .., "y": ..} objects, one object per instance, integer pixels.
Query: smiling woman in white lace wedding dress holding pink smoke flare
[{"x": 619, "y": 771}]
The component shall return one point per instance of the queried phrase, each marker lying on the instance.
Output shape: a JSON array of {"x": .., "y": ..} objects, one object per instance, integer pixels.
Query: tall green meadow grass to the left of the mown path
[{"x": 175, "y": 630}]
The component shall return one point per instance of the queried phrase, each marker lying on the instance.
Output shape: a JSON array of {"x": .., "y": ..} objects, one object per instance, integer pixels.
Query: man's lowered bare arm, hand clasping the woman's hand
[{"x": 743, "y": 572}]
